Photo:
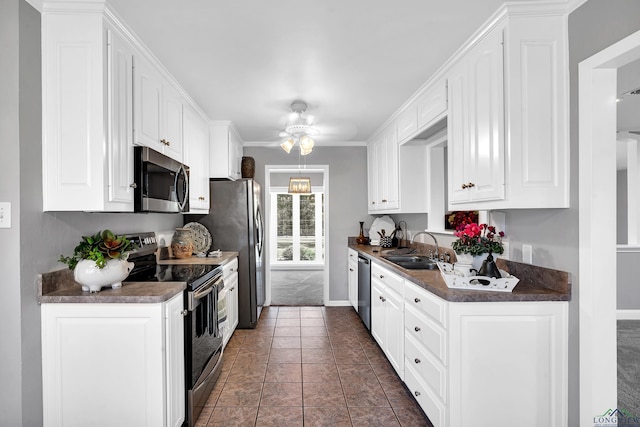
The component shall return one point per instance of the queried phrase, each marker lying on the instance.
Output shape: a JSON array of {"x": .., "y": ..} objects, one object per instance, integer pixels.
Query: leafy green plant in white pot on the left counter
[{"x": 100, "y": 260}]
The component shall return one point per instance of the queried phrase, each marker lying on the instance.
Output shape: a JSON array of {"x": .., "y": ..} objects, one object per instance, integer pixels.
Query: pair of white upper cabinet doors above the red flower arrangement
[{"x": 476, "y": 127}]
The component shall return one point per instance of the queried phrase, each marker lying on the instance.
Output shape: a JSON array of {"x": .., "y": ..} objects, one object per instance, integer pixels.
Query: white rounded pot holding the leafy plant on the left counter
[{"x": 93, "y": 279}]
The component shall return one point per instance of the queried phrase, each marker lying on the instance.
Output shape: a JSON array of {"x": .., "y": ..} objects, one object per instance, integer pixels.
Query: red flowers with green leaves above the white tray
[{"x": 476, "y": 239}]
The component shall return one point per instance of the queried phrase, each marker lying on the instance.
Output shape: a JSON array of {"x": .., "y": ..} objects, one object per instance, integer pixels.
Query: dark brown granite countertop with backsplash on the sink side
[{"x": 535, "y": 283}]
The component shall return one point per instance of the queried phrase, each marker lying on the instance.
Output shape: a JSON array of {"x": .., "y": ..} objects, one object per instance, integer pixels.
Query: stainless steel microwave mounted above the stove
[{"x": 161, "y": 183}]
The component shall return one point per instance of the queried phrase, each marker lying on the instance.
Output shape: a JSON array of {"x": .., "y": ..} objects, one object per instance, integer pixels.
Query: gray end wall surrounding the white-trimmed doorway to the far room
[{"x": 347, "y": 199}]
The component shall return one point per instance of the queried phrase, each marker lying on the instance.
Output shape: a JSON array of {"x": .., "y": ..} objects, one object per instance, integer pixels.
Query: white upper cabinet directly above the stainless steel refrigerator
[{"x": 225, "y": 151}]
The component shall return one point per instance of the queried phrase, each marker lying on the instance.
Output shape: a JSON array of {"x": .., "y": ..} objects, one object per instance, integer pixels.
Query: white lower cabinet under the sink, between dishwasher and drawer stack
[{"x": 387, "y": 320}]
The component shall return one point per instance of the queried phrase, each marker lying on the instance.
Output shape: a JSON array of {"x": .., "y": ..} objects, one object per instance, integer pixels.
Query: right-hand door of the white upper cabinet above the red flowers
[{"x": 486, "y": 119}]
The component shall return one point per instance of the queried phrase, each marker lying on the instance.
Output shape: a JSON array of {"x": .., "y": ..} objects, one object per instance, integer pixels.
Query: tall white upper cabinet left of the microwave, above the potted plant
[{"x": 87, "y": 114}]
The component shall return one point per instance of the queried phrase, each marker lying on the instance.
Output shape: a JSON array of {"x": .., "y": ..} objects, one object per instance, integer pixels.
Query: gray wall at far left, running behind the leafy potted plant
[{"x": 36, "y": 239}]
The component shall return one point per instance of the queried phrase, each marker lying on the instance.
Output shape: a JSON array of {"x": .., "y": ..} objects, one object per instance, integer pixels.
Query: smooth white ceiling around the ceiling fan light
[{"x": 354, "y": 62}]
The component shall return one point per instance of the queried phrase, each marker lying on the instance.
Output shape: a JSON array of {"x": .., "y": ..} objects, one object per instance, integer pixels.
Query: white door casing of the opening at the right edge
[{"x": 597, "y": 250}]
